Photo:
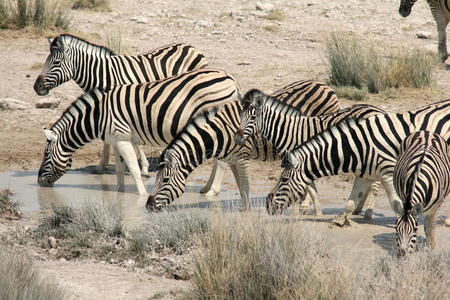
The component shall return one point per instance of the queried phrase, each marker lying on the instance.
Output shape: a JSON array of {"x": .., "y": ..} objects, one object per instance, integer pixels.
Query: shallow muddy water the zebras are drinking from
[{"x": 371, "y": 237}]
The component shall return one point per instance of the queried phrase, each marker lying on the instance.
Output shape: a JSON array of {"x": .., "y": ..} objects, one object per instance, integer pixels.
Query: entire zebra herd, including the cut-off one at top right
[{"x": 168, "y": 98}]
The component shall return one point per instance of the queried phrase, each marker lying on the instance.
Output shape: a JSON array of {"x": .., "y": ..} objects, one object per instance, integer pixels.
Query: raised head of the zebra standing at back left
[{"x": 58, "y": 67}]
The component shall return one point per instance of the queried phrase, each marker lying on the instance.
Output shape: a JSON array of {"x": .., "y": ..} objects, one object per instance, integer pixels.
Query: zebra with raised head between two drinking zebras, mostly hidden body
[{"x": 285, "y": 127}]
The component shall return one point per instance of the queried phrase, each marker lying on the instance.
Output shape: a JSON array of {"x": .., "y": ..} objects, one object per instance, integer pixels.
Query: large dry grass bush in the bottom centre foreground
[{"x": 256, "y": 257}]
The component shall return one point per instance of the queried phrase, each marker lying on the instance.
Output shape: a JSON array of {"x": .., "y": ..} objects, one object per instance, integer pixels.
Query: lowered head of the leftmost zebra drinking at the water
[{"x": 55, "y": 162}]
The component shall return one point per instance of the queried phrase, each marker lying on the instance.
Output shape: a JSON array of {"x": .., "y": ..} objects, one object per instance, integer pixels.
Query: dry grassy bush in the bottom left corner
[{"x": 21, "y": 280}]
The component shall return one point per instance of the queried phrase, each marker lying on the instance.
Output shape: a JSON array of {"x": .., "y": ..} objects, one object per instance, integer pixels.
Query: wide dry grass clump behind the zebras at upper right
[{"x": 356, "y": 63}]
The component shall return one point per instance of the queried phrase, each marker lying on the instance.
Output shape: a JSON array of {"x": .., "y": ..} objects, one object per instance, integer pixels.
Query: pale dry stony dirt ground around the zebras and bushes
[{"x": 259, "y": 50}]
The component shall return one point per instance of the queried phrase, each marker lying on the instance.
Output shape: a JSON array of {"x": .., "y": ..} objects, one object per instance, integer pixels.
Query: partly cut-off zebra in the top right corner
[{"x": 440, "y": 9}]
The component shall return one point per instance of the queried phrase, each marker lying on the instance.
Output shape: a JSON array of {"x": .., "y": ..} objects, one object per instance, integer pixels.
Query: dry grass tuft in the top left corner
[{"x": 41, "y": 14}]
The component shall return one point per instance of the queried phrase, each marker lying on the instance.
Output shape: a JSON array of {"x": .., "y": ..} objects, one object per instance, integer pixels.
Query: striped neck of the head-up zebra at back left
[{"x": 93, "y": 68}]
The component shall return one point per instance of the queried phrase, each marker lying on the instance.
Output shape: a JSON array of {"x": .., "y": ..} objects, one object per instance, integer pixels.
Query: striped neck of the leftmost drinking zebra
[{"x": 79, "y": 124}]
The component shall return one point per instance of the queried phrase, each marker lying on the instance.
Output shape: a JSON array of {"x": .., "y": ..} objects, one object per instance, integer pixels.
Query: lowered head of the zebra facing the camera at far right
[{"x": 406, "y": 230}]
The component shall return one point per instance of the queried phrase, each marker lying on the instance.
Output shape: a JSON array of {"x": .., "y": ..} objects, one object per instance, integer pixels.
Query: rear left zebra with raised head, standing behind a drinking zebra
[{"x": 93, "y": 66}]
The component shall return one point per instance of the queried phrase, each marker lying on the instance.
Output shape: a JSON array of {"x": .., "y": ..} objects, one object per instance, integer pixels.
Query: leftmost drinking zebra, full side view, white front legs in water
[{"x": 147, "y": 113}]
